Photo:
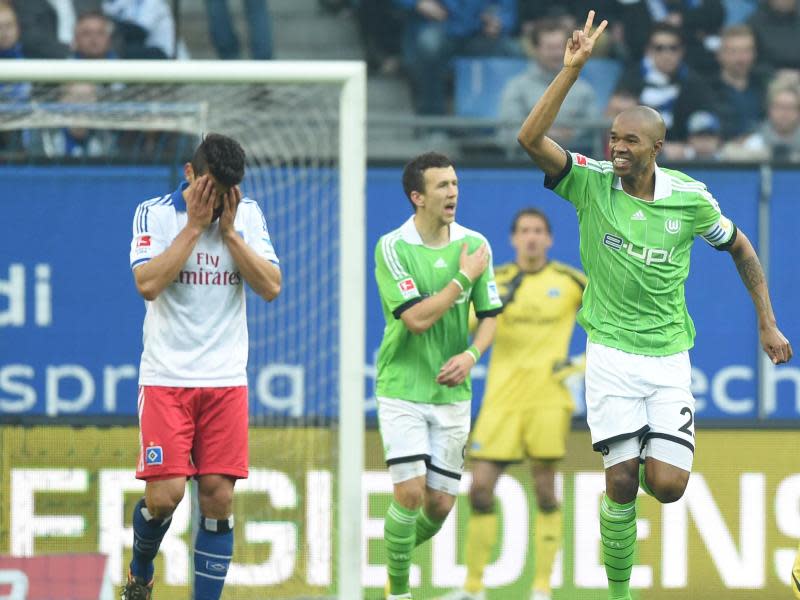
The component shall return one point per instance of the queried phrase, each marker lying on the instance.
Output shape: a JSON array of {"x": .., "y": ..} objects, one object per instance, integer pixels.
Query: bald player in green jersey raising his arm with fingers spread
[{"x": 637, "y": 225}]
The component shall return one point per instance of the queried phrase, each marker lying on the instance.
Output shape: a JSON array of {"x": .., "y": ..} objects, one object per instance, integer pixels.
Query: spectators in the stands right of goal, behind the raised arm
[{"x": 724, "y": 74}]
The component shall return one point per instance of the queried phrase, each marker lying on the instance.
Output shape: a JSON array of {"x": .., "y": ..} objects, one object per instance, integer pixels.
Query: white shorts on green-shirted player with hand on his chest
[{"x": 425, "y": 439}]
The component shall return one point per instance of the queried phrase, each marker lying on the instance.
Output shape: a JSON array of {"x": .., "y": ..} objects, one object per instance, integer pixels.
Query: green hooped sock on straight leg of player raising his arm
[{"x": 618, "y": 533}]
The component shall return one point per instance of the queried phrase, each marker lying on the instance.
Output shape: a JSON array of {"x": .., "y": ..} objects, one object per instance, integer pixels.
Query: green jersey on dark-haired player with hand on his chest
[{"x": 407, "y": 271}]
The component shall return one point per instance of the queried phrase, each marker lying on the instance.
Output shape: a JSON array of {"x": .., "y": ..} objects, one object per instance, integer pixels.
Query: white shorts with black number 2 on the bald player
[{"x": 646, "y": 398}]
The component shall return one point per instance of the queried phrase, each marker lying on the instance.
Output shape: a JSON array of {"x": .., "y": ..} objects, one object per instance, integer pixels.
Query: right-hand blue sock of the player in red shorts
[{"x": 213, "y": 551}]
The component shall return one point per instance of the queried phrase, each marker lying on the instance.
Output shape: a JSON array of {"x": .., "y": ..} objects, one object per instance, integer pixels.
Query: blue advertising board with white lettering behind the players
[{"x": 70, "y": 317}]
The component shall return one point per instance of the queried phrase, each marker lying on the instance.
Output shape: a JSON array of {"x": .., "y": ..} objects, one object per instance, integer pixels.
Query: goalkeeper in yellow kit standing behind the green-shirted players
[{"x": 526, "y": 409}]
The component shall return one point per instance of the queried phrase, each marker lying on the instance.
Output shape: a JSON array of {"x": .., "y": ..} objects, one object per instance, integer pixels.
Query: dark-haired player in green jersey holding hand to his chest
[{"x": 428, "y": 272}]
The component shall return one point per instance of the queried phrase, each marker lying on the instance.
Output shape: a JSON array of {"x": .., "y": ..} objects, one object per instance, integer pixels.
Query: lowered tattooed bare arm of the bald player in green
[{"x": 773, "y": 341}]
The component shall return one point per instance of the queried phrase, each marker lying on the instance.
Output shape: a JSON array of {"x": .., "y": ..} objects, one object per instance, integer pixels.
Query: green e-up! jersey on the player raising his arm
[{"x": 636, "y": 254}]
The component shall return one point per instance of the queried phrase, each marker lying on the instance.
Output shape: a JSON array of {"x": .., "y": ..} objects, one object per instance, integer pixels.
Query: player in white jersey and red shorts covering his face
[{"x": 191, "y": 253}]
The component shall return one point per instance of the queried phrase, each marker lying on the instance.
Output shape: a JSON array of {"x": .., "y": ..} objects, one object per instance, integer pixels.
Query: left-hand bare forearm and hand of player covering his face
[{"x": 156, "y": 274}]
